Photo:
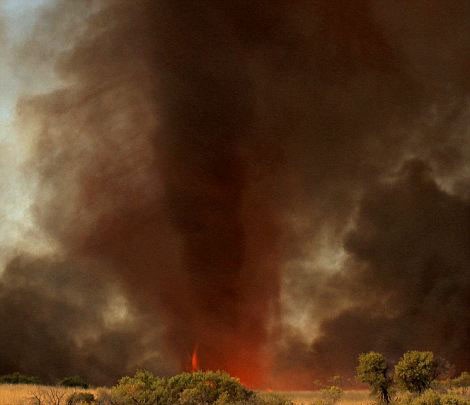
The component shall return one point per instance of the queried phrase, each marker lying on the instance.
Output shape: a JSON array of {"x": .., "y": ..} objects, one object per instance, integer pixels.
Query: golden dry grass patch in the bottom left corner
[{"x": 22, "y": 394}]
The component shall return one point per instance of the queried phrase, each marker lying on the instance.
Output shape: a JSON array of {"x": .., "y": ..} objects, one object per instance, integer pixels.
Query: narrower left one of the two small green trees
[{"x": 373, "y": 370}]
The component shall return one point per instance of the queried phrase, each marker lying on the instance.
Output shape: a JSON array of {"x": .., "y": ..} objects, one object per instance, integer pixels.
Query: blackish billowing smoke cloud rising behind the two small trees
[{"x": 407, "y": 276}]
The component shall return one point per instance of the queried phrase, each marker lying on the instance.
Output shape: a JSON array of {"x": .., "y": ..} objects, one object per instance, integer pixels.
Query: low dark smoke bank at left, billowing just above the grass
[{"x": 59, "y": 320}]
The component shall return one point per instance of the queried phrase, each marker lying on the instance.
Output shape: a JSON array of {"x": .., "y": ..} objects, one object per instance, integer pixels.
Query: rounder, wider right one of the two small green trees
[{"x": 416, "y": 371}]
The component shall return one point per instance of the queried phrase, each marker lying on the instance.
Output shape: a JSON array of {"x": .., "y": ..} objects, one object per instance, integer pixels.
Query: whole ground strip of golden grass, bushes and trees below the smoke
[{"x": 416, "y": 379}]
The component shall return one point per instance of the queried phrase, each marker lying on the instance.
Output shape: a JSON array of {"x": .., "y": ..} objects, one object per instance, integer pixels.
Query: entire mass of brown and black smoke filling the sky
[{"x": 281, "y": 185}]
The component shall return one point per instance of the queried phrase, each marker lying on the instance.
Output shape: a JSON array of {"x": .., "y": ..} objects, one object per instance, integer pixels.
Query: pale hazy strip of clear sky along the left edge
[{"x": 19, "y": 19}]
